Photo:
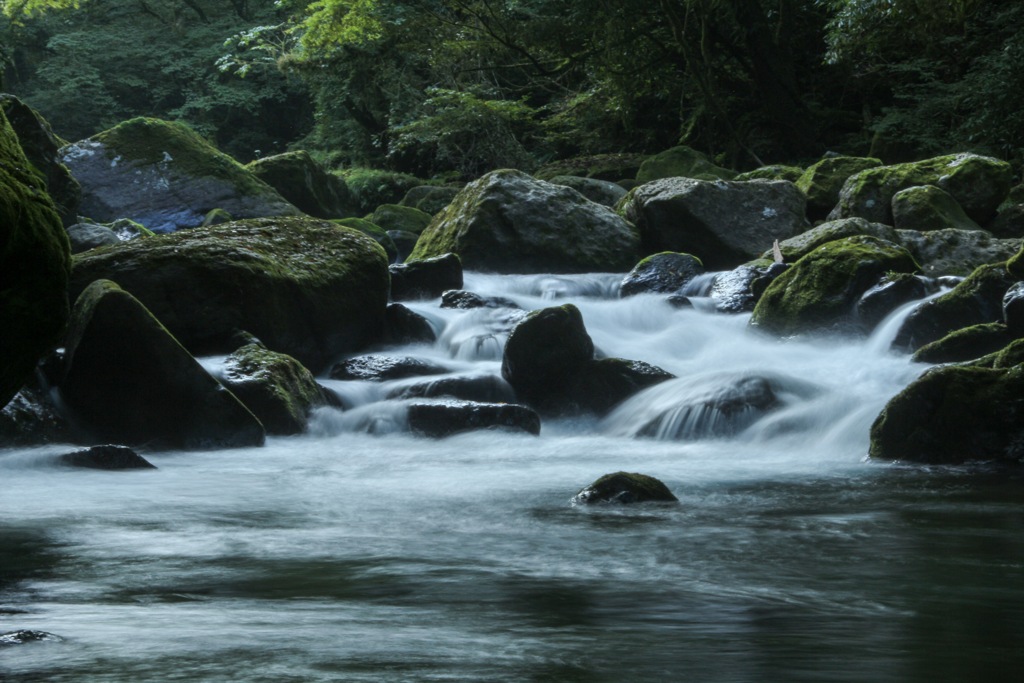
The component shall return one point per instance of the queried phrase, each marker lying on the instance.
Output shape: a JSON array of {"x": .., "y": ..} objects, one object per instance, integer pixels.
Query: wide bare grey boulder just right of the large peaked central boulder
[{"x": 722, "y": 224}]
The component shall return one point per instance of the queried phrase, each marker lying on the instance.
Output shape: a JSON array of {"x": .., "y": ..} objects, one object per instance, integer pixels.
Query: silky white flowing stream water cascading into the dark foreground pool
[{"x": 360, "y": 552}]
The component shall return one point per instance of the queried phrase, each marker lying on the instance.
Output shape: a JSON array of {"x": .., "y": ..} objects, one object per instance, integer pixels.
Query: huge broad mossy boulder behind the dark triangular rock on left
[{"x": 306, "y": 287}]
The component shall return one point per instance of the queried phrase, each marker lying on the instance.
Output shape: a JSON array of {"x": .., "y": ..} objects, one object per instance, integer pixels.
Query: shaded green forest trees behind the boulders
[{"x": 453, "y": 89}]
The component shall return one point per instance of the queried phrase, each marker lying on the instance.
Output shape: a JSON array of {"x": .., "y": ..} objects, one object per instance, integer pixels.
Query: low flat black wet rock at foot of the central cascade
[{"x": 452, "y": 417}]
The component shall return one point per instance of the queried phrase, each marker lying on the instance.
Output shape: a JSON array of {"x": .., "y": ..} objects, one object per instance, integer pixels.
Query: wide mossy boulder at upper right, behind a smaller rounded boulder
[{"x": 977, "y": 184}]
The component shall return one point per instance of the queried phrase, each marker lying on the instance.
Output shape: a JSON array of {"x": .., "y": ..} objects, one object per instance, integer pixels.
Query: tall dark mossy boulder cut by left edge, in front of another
[{"x": 35, "y": 261}]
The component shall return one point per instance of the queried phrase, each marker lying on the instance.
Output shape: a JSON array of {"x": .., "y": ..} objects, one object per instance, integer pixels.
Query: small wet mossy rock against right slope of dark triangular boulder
[{"x": 279, "y": 391}]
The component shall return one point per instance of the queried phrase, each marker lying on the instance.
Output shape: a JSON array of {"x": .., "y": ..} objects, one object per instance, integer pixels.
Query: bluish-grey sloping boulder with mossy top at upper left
[{"x": 165, "y": 177}]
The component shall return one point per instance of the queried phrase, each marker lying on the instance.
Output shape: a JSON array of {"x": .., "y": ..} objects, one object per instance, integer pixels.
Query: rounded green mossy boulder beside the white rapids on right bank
[{"x": 821, "y": 291}]
